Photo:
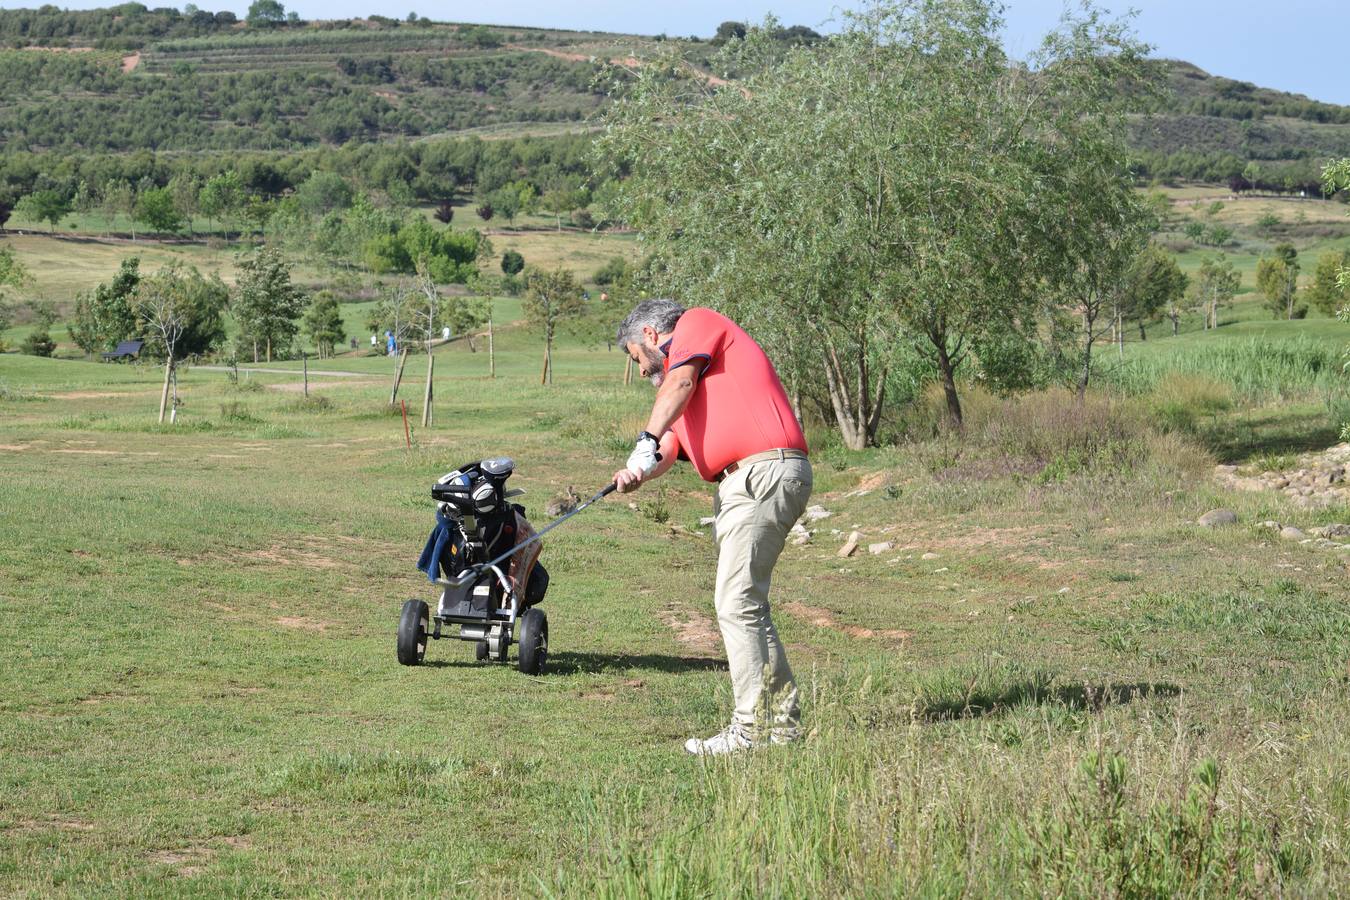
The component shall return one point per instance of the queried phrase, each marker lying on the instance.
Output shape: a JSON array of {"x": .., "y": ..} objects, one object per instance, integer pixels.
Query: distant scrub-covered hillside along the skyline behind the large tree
[{"x": 129, "y": 79}]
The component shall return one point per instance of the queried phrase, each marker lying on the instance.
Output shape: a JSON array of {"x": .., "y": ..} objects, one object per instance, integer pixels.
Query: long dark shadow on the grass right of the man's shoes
[{"x": 1036, "y": 692}]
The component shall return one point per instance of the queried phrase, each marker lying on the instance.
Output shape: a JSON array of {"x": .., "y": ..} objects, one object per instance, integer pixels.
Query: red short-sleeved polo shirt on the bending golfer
[{"x": 739, "y": 408}]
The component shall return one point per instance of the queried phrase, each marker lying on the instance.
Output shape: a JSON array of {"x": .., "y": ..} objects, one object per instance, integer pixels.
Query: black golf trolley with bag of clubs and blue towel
[{"x": 485, "y": 557}]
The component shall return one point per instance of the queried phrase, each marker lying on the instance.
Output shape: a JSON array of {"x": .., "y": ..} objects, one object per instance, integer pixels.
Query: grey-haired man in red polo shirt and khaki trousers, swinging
[{"x": 722, "y": 407}]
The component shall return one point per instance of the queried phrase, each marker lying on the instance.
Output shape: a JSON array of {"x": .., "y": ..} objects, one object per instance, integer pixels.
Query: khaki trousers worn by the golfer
[{"x": 755, "y": 508}]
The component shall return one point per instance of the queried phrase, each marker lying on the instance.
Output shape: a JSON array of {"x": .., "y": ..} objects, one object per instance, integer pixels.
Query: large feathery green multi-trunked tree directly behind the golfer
[{"x": 889, "y": 172}]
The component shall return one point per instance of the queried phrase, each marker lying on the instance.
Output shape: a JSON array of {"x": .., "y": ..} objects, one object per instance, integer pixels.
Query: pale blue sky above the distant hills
[{"x": 1291, "y": 47}]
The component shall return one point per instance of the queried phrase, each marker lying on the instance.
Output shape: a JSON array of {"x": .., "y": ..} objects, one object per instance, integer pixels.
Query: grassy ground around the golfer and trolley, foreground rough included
[{"x": 1054, "y": 683}]
